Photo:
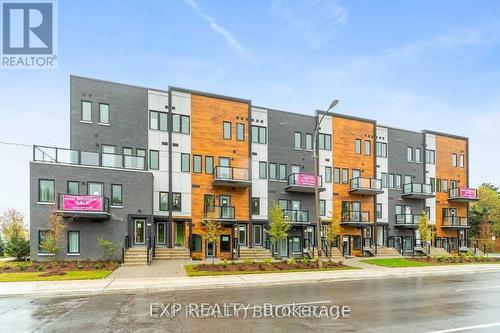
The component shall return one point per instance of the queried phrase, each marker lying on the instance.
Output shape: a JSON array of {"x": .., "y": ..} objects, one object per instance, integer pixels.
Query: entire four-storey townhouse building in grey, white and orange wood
[{"x": 146, "y": 166}]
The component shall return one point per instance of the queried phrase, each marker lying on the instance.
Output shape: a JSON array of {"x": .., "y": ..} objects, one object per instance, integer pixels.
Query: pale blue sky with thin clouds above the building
[{"x": 412, "y": 64}]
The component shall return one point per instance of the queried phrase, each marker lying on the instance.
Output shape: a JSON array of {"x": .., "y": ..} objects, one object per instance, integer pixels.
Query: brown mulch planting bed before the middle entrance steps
[{"x": 258, "y": 266}]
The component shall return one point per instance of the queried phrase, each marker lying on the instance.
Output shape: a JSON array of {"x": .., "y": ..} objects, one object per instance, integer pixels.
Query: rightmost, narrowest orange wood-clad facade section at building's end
[{"x": 445, "y": 147}]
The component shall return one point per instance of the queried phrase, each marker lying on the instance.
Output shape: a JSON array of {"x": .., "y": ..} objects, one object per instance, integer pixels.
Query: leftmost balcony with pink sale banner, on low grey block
[{"x": 94, "y": 207}]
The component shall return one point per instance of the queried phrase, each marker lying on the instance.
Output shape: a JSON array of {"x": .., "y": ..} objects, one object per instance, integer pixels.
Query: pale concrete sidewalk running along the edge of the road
[{"x": 121, "y": 285}]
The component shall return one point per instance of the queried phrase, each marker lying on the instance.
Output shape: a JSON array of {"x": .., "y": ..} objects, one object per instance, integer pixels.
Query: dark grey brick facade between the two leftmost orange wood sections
[{"x": 281, "y": 127}]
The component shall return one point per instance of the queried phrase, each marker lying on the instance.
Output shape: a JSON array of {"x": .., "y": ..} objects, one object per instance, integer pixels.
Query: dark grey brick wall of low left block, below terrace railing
[{"x": 137, "y": 200}]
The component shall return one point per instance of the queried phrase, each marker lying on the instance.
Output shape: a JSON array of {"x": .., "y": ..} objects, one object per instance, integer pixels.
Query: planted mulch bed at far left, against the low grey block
[{"x": 57, "y": 268}]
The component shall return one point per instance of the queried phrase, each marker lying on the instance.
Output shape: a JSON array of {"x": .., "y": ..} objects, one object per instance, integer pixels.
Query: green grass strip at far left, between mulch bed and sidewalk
[{"x": 71, "y": 275}]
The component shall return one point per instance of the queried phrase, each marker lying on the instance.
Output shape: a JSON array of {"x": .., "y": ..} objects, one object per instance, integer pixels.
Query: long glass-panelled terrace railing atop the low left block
[{"x": 87, "y": 158}]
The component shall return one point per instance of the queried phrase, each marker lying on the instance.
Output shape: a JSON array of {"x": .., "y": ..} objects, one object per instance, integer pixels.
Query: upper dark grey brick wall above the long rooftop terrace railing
[{"x": 128, "y": 115}]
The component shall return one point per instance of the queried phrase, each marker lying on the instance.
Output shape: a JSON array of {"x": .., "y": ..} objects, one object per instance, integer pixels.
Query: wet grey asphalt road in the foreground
[{"x": 425, "y": 304}]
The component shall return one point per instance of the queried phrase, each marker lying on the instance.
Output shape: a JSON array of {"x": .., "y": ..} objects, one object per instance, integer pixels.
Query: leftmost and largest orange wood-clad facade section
[{"x": 207, "y": 117}]
